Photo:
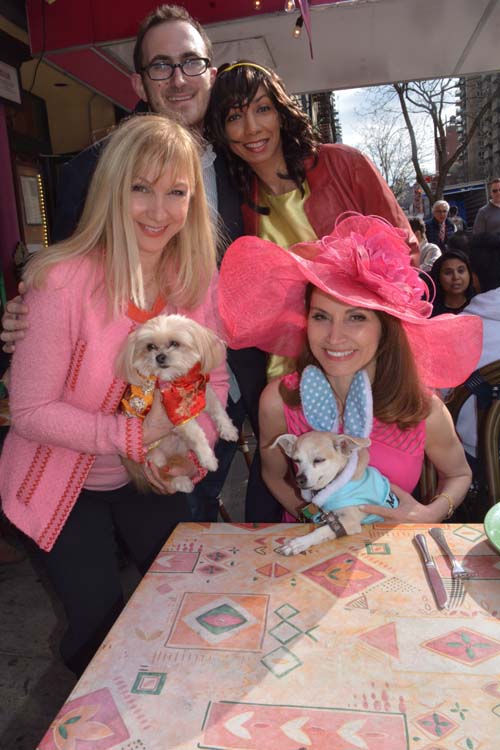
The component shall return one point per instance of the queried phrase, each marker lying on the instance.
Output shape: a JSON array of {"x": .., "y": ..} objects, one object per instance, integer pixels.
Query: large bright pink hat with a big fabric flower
[{"x": 364, "y": 262}]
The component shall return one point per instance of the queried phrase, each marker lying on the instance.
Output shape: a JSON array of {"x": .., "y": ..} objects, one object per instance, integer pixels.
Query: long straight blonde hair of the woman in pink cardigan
[{"x": 106, "y": 231}]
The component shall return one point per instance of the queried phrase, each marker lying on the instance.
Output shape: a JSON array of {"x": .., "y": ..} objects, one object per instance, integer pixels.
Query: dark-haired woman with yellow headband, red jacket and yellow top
[{"x": 293, "y": 187}]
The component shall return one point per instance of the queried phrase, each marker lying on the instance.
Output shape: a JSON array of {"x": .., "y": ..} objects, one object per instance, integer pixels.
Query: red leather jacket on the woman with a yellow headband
[{"x": 343, "y": 180}]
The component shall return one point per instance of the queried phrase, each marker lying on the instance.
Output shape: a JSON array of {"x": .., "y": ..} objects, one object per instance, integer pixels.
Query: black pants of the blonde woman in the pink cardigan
[{"x": 83, "y": 564}]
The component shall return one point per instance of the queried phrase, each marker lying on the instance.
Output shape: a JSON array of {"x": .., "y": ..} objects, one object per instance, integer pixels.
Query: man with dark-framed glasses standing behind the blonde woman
[{"x": 173, "y": 76}]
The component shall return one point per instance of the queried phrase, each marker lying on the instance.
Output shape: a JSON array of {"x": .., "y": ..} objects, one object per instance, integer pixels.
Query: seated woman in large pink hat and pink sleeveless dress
[{"x": 364, "y": 310}]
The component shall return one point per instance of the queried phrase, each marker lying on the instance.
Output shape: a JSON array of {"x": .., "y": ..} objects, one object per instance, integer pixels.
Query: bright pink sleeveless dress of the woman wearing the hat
[{"x": 396, "y": 453}]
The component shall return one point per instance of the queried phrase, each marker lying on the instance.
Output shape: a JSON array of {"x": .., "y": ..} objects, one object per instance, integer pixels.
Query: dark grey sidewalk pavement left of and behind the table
[{"x": 33, "y": 681}]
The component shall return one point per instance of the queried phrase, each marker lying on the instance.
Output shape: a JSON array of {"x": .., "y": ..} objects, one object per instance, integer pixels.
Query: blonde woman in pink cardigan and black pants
[{"x": 144, "y": 245}]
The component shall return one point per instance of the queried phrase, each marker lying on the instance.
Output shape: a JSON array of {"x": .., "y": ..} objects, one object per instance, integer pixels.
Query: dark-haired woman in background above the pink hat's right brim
[{"x": 452, "y": 276}]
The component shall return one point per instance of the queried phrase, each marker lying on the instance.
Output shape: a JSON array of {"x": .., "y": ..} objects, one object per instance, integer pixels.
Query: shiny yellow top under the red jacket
[{"x": 286, "y": 225}]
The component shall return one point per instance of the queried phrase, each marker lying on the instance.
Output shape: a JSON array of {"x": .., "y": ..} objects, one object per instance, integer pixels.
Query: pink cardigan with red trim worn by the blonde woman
[{"x": 64, "y": 395}]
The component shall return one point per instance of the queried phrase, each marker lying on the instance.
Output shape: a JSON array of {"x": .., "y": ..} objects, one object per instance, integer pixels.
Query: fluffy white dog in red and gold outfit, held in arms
[{"x": 175, "y": 354}]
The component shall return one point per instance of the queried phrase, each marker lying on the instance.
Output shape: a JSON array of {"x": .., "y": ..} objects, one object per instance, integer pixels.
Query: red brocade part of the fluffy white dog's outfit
[{"x": 185, "y": 397}]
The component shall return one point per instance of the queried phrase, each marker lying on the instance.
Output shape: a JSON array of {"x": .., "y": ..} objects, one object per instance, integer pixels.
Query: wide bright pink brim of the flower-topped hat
[{"x": 261, "y": 304}]
